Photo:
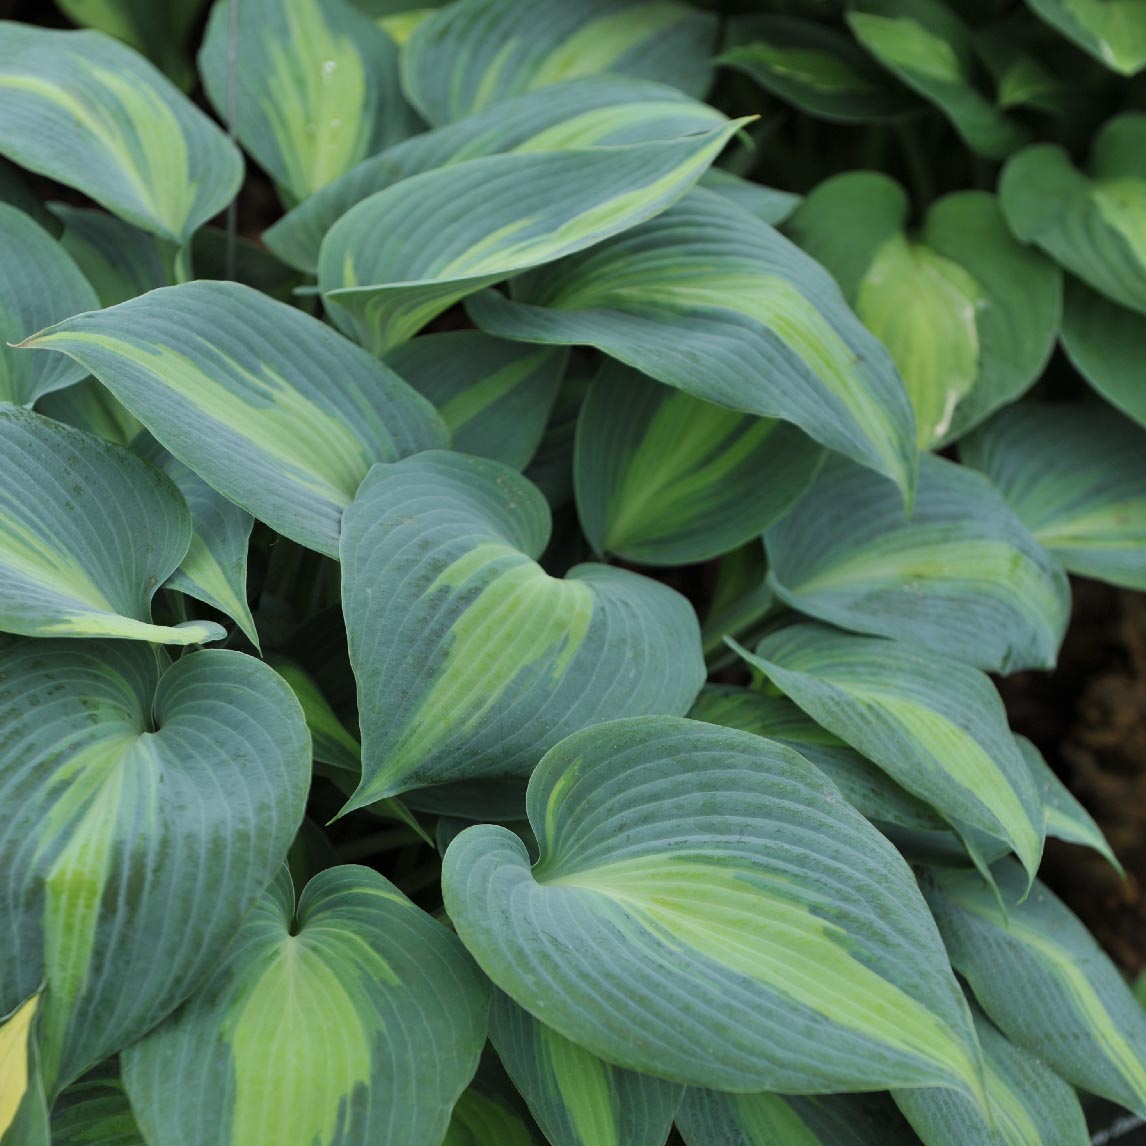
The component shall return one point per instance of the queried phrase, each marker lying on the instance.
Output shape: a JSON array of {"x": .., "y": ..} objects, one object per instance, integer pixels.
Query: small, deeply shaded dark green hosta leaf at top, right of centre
[{"x": 814, "y": 67}]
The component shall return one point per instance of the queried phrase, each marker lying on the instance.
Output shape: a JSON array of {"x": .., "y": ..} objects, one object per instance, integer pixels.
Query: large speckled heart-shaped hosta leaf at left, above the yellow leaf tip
[{"x": 147, "y": 805}]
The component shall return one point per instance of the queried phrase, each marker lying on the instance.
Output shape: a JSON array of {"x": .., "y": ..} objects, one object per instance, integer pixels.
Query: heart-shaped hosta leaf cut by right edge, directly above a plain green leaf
[{"x": 1094, "y": 223}]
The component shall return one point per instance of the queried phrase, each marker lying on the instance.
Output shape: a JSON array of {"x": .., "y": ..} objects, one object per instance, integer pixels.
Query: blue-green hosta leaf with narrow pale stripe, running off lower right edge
[{"x": 1045, "y": 982}]
